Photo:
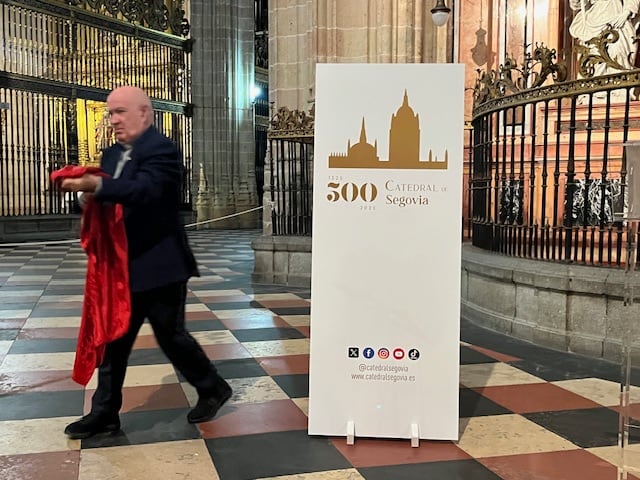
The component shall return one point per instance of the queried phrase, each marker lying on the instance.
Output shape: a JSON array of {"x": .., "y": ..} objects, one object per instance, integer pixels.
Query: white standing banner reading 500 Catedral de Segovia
[{"x": 387, "y": 218}]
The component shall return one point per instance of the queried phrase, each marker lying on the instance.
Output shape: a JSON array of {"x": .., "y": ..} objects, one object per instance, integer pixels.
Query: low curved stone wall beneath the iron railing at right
[{"x": 568, "y": 307}]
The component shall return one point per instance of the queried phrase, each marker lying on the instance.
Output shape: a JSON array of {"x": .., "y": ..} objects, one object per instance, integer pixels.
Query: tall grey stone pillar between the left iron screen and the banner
[{"x": 222, "y": 74}]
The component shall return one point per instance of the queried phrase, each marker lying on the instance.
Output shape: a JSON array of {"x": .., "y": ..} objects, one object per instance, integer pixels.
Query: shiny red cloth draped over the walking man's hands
[{"x": 106, "y": 309}]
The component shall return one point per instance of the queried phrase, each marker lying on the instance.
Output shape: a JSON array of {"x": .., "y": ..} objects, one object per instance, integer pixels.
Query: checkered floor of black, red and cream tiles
[{"x": 526, "y": 413}]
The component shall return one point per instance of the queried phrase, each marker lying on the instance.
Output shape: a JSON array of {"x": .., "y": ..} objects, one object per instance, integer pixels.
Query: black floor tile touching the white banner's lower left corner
[{"x": 273, "y": 455}]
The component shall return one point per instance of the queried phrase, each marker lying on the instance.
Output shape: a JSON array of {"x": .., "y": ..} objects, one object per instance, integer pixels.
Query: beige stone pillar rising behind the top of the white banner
[{"x": 305, "y": 32}]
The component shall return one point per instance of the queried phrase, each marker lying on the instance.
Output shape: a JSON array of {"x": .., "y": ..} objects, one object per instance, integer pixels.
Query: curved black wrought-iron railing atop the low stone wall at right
[{"x": 548, "y": 171}]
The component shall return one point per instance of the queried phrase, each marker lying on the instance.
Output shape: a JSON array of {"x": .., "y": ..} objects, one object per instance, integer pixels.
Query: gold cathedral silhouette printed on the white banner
[{"x": 404, "y": 146}]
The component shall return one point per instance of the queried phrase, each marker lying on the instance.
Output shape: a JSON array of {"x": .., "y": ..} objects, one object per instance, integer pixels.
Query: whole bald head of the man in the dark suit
[{"x": 130, "y": 113}]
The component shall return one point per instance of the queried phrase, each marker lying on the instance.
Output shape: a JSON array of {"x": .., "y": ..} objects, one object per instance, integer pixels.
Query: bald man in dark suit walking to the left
[{"x": 145, "y": 178}]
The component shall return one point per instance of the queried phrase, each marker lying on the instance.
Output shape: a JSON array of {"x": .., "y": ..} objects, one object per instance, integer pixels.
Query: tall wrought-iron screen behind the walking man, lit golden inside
[{"x": 58, "y": 62}]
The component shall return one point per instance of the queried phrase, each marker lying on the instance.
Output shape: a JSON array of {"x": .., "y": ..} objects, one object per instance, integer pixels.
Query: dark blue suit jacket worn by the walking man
[{"x": 149, "y": 190}]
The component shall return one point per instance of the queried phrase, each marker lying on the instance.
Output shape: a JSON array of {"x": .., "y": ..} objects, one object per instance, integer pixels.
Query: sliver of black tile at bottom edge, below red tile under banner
[{"x": 452, "y": 470}]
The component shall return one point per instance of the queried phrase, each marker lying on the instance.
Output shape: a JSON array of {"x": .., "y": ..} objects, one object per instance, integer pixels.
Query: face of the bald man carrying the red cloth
[{"x": 127, "y": 115}]
